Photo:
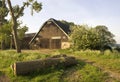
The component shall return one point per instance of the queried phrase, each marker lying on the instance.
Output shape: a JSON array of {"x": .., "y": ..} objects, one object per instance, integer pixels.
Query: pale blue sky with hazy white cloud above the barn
[{"x": 90, "y": 12}]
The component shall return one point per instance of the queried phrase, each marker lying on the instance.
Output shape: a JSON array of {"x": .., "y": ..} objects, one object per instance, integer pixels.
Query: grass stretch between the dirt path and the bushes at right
[{"x": 107, "y": 60}]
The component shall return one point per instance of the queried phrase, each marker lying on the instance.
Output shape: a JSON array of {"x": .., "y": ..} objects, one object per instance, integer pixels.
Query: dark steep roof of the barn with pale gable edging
[{"x": 62, "y": 26}]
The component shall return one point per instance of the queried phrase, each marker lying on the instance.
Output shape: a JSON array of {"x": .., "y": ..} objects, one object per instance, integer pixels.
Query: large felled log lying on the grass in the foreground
[{"x": 24, "y": 68}]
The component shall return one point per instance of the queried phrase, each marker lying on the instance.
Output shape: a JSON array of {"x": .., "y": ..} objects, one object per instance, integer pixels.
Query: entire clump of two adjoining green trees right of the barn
[{"x": 85, "y": 37}]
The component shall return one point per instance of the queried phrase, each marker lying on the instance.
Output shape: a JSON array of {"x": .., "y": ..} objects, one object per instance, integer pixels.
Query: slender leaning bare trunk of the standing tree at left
[{"x": 14, "y": 27}]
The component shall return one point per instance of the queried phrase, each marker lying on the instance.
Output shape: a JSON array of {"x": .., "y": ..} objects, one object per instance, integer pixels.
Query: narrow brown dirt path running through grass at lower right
[{"x": 112, "y": 74}]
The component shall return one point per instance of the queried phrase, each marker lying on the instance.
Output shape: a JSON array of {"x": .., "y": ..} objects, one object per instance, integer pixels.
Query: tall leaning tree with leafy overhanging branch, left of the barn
[{"x": 18, "y": 12}]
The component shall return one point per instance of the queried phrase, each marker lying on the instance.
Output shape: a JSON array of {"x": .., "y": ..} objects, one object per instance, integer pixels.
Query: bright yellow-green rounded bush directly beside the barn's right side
[{"x": 83, "y": 37}]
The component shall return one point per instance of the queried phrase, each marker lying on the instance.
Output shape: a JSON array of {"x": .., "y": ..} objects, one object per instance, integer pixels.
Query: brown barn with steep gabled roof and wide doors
[{"x": 53, "y": 34}]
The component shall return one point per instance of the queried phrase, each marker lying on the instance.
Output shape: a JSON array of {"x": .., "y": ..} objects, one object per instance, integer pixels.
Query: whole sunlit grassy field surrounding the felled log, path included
[{"x": 92, "y": 66}]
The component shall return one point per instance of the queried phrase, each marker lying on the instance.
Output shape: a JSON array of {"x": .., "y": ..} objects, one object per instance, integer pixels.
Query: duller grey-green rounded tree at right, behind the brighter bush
[{"x": 105, "y": 36}]
